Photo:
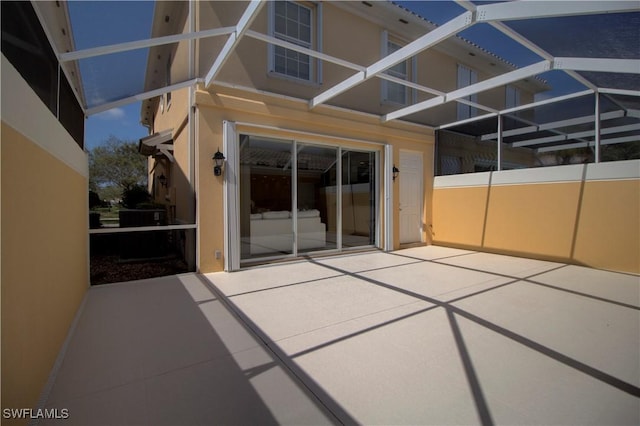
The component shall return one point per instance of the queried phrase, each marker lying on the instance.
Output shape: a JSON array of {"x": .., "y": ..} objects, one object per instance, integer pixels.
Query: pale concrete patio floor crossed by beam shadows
[{"x": 426, "y": 335}]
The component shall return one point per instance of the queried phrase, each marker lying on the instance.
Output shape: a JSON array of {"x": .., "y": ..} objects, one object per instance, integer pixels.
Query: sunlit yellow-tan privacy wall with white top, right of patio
[{"x": 587, "y": 214}]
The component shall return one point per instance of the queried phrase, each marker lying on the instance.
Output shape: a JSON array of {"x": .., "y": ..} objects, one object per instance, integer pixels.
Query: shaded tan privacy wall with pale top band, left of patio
[{"x": 44, "y": 256}]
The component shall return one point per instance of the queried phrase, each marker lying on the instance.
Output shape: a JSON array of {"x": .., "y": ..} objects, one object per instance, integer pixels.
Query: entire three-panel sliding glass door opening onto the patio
[{"x": 297, "y": 198}]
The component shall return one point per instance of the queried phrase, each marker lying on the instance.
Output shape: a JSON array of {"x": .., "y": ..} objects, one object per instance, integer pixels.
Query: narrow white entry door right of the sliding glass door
[{"x": 411, "y": 196}]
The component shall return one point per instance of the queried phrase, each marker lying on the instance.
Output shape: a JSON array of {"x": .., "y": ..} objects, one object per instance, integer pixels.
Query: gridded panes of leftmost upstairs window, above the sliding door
[{"x": 292, "y": 22}]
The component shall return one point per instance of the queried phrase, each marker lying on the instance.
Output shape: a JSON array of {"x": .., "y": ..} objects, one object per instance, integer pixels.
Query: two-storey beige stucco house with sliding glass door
[{"x": 301, "y": 180}]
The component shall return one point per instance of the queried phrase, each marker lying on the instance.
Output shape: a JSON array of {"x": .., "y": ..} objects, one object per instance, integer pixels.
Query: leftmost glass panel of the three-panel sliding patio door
[{"x": 266, "y": 228}]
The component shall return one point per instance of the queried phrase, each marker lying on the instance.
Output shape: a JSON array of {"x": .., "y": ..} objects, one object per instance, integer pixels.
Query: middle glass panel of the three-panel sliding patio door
[{"x": 316, "y": 198}]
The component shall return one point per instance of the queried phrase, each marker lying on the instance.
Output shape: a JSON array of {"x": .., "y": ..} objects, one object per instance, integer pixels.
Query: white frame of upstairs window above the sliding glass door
[{"x": 315, "y": 66}]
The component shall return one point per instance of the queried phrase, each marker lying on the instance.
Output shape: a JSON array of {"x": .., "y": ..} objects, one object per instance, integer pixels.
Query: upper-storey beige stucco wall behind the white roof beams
[{"x": 352, "y": 38}]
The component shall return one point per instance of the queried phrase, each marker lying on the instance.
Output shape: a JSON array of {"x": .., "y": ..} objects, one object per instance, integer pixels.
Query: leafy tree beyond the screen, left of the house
[{"x": 116, "y": 164}]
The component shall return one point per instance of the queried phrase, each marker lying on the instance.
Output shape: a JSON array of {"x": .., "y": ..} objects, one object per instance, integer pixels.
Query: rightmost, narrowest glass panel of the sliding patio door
[{"x": 358, "y": 199}]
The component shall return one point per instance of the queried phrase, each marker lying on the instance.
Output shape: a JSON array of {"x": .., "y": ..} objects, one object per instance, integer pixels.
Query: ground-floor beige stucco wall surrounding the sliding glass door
[{"x": 288, "y": 119}]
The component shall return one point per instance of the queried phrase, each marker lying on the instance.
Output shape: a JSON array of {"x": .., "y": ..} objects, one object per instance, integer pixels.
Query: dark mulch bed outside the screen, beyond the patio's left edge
[{"x": 110, "y": 269}]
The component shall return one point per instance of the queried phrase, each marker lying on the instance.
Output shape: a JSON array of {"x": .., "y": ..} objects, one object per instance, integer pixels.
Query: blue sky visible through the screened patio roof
[{"x": 99, "y": 23}]
